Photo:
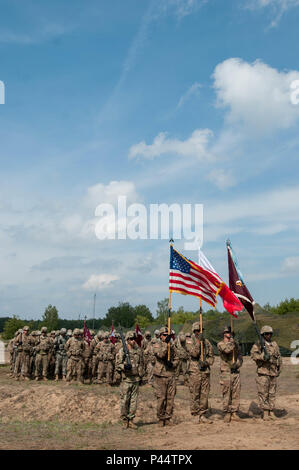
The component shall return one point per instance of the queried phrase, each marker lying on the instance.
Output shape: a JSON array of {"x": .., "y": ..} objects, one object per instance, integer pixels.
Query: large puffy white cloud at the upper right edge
[{"x": 256, "y": 95}]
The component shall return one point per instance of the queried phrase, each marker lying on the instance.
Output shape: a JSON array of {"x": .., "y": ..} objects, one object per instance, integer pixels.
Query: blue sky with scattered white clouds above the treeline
[{"x": 161, "y": 101}]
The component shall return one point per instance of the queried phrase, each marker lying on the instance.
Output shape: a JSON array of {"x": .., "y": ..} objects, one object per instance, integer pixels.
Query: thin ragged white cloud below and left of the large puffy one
[{"x": 195, "y": 146}]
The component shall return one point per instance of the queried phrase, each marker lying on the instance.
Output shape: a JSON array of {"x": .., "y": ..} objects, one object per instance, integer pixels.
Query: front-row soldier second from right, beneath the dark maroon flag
[{"x": 230, "y": 362}]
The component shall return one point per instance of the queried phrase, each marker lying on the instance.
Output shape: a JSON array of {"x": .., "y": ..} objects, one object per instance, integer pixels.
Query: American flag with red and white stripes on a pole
[{"x": 188, "y": 278}]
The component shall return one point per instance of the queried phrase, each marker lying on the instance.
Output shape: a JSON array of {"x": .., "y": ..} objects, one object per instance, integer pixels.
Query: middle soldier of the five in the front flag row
[{"x": 199, "y": 372}]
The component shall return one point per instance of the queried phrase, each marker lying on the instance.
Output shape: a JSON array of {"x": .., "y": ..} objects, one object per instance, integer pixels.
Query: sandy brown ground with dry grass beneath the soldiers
[{"x": 40, "y": 415}]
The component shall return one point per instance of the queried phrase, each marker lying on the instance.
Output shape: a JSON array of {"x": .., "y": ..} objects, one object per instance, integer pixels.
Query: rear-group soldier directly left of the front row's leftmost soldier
[{"x": 105, "y": 352}]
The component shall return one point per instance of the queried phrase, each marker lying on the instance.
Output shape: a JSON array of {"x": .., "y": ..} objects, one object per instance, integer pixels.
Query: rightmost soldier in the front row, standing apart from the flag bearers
[{"x": 268, "y": 369}]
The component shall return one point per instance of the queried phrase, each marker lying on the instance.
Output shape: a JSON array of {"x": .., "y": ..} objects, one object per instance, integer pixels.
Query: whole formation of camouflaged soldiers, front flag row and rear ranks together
[{"x": 160, "y": 361}]
